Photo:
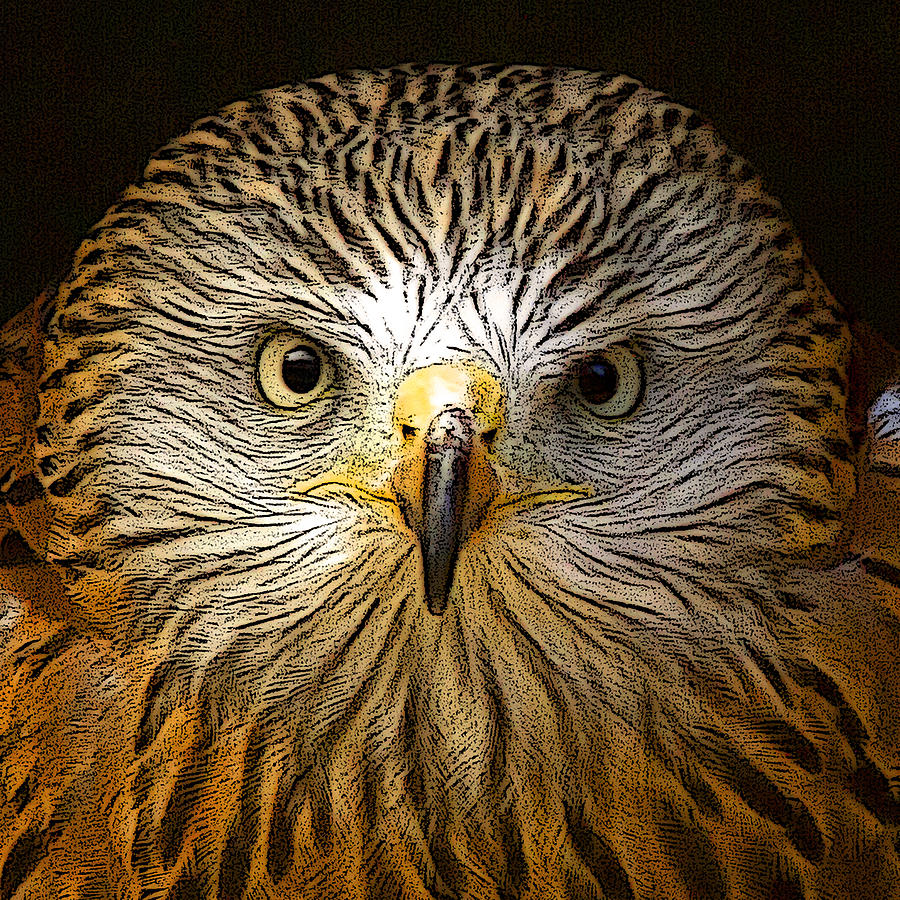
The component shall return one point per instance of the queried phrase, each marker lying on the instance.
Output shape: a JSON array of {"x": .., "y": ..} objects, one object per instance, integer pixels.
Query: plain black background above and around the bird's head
[{"x": 807, "y": 91}]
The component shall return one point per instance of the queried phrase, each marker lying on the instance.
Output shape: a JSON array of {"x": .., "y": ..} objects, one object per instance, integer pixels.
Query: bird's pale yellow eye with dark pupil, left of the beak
[{"x": 291, "y": 371}]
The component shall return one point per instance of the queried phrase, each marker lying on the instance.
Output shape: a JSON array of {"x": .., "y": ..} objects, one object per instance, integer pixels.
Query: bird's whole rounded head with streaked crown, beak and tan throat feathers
[{"x": 435, "y": 425}]
